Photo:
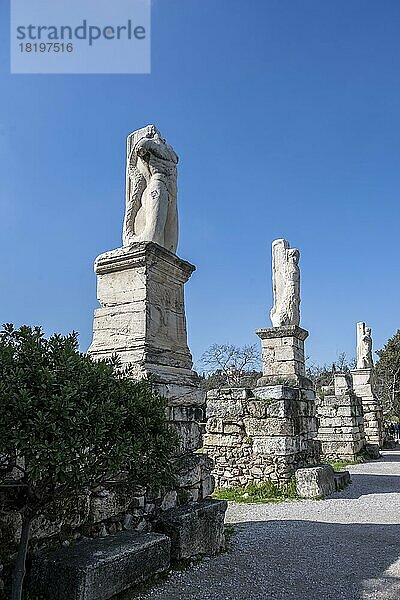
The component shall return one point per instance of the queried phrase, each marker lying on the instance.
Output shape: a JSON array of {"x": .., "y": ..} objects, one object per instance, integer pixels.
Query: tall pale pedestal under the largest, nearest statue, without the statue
[{"x": 141, "y": 318}]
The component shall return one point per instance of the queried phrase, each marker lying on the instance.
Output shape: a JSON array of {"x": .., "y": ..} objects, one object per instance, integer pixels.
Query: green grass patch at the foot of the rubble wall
[{"x": 258, "y": 492}]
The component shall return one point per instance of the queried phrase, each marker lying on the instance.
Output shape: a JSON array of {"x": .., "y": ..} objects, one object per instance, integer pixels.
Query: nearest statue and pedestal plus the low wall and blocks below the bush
[{"x": 142, "y": 320}]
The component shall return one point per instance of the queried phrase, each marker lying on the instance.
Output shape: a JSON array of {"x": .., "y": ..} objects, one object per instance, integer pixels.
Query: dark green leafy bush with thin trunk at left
[{"x": 69, "y": 423}]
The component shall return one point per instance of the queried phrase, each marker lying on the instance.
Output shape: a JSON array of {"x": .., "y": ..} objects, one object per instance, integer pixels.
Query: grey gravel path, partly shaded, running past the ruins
[{"x": 345, "y": 547}]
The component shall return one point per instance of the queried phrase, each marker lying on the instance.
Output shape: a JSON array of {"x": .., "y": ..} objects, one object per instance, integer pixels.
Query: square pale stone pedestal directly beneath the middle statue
[{"x": 283, "y": 356}]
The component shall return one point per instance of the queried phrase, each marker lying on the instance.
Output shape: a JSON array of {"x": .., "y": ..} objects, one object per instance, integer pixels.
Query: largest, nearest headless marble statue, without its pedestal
[{"x": 151, "y": 190}]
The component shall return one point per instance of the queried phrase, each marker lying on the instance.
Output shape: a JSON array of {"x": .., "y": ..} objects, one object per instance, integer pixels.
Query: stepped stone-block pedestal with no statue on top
[{"x": 341, "y": 423}]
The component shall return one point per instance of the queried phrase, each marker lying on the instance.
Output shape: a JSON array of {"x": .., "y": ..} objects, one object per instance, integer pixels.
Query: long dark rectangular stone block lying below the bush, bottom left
[{"x": 99, "y": 569}]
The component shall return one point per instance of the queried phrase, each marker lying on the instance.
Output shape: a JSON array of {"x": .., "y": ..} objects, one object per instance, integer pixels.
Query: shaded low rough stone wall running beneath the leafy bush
[{"x": 109, "y": 509}]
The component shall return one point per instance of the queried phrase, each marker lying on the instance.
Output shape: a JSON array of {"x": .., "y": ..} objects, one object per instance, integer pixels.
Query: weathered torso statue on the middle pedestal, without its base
[{"x": 286, "y": 284}]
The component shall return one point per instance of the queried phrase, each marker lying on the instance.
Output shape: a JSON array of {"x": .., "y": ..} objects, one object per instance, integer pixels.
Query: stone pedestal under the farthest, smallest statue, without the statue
[{"x": 363, "y": 384}]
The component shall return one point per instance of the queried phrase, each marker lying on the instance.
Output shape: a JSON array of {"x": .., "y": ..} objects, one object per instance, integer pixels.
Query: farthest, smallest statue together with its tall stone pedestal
[{"x": 364, "y": 387}]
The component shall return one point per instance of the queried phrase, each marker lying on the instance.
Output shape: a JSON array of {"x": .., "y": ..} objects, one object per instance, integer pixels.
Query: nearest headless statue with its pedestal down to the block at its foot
[{"x": 140, "y": 288}]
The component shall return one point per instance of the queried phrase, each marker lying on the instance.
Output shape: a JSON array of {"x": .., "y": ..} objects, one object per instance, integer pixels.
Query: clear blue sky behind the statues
[{"x": 286, "y": 117}]
